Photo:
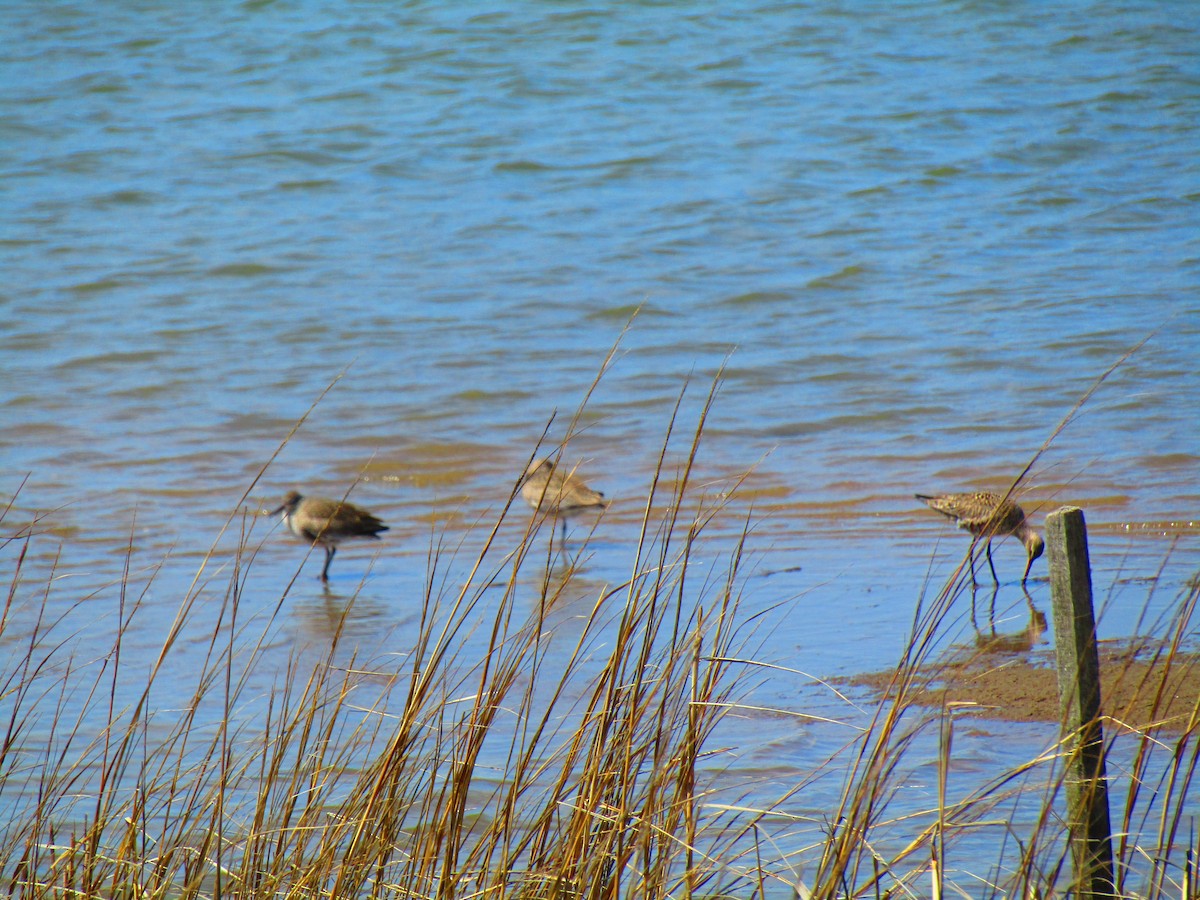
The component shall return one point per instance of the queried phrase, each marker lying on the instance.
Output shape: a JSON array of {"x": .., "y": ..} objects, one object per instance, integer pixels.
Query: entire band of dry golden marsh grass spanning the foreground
[{"x": 473, "y": 763}]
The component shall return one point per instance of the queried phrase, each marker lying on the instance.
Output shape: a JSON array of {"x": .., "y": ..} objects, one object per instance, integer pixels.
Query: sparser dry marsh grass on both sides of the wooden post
[{"x": 1005, "y": 835}]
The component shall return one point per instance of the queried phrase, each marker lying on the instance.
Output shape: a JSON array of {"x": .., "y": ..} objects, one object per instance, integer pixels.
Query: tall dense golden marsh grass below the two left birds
[{"x": 351, "y": 781}]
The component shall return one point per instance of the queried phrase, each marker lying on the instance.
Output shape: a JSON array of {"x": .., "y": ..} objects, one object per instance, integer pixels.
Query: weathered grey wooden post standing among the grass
[{"x": 1079, "y": 699}]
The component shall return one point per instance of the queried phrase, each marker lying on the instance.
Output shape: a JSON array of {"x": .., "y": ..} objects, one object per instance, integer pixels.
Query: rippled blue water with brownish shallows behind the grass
[{"x": 913, "y": 235}]
